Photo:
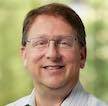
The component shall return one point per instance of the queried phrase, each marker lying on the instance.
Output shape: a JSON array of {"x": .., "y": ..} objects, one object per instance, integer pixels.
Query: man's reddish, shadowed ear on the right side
[{"x": 83, "y": 55}]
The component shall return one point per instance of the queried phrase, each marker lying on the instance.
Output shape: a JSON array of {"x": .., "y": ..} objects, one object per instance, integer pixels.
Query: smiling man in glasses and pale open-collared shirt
[{"x": 54, "y": 51}]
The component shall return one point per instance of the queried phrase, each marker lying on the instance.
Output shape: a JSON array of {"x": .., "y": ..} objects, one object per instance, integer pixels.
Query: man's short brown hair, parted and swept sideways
[{"x": 55, "y": 9}]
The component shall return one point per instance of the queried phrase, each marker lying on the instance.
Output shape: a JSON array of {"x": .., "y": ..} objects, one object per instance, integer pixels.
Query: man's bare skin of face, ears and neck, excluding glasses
[{"x": 54, "y": 82}]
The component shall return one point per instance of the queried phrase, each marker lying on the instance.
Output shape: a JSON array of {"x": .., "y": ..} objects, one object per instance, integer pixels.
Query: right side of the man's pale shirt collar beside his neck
[{"x": 77, "y": 97}]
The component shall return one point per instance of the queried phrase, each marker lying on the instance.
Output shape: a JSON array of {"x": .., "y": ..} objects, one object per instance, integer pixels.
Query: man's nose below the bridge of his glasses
[{"x": 52, "y": 52}]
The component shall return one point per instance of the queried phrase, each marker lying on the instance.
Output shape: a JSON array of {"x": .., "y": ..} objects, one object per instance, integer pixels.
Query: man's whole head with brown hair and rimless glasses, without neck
[{"x": 54, "y": 46}]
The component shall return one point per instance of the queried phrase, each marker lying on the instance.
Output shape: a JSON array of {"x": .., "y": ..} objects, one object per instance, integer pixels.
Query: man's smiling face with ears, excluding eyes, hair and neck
[{"x": 51, "y": 66}]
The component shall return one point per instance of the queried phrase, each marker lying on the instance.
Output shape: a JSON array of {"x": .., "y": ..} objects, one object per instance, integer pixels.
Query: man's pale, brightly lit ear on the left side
[{"x": 24, "y": 55}]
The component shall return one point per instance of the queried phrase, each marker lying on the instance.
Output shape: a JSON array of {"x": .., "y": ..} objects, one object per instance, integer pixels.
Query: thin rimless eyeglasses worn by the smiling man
[{"x": 64, "y": 42}]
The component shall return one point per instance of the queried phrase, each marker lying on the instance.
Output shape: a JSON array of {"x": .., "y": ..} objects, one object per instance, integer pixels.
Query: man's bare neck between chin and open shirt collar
[{"x": 52, "y": 97}]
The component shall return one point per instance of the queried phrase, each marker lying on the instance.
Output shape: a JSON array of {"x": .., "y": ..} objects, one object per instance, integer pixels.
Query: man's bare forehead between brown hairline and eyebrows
[{"x": 50, "y": 25}]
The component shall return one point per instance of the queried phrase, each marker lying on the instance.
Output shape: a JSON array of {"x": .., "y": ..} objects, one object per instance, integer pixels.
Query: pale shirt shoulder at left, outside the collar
[{"x": 21, "y": 102}]
